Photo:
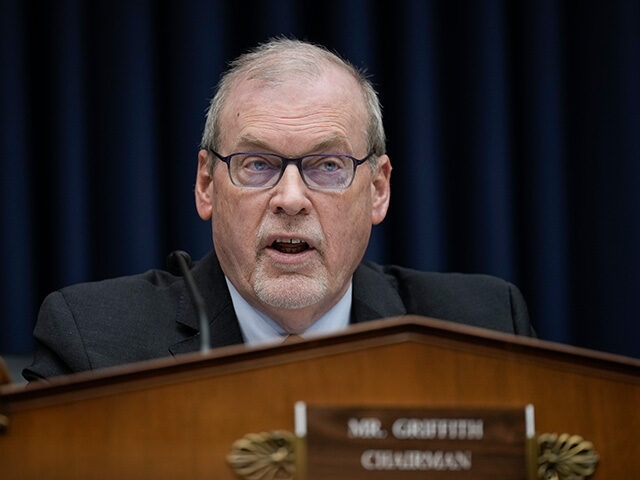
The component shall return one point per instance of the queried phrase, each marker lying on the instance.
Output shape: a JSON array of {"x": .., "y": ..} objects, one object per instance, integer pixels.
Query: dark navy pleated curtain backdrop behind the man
[{"x": 513, "y": 129}]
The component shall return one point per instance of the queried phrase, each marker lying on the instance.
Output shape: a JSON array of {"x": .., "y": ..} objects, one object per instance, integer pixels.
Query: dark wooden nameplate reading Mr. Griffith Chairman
[{"x": 411, "y": 443}]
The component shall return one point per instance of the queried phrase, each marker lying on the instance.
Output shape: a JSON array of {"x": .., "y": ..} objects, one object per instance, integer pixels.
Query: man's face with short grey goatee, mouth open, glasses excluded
[{"x": 291, "y": 251}]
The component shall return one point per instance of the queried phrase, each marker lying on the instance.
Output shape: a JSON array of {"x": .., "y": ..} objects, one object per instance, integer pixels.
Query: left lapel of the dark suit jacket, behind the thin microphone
[{"x": 225, "y": 329}]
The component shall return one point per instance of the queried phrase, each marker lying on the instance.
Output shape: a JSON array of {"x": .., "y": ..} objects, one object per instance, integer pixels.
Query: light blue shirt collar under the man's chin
[{"x": 257, "y": 327}]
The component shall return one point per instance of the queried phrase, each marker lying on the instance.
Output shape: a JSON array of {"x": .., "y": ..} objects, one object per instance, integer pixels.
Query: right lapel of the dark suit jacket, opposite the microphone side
[{"x": 375, "y": 295}]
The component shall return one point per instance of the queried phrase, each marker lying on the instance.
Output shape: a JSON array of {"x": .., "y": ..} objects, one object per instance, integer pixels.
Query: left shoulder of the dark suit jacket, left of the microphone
[{"x": 105, "y": 323}]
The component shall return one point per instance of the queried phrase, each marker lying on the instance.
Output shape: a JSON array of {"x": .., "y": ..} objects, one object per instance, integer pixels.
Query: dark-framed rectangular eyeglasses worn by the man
[{"x": 318, "y": 171}]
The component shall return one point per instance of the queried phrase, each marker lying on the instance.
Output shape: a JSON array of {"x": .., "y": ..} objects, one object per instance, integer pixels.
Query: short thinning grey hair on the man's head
[{"x": 271, "y": 62}]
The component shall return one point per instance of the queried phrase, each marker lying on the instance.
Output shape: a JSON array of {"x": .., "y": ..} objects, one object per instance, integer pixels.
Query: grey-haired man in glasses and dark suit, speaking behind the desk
[{"x": 292, "y": 174}]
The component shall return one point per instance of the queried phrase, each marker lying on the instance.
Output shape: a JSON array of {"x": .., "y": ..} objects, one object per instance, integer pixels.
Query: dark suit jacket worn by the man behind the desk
[{"x": 129, "y": 319}]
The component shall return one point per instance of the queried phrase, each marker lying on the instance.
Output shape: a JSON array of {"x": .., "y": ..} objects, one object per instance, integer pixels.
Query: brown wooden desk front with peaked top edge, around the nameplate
[{"x": 177, "y": 418}]
